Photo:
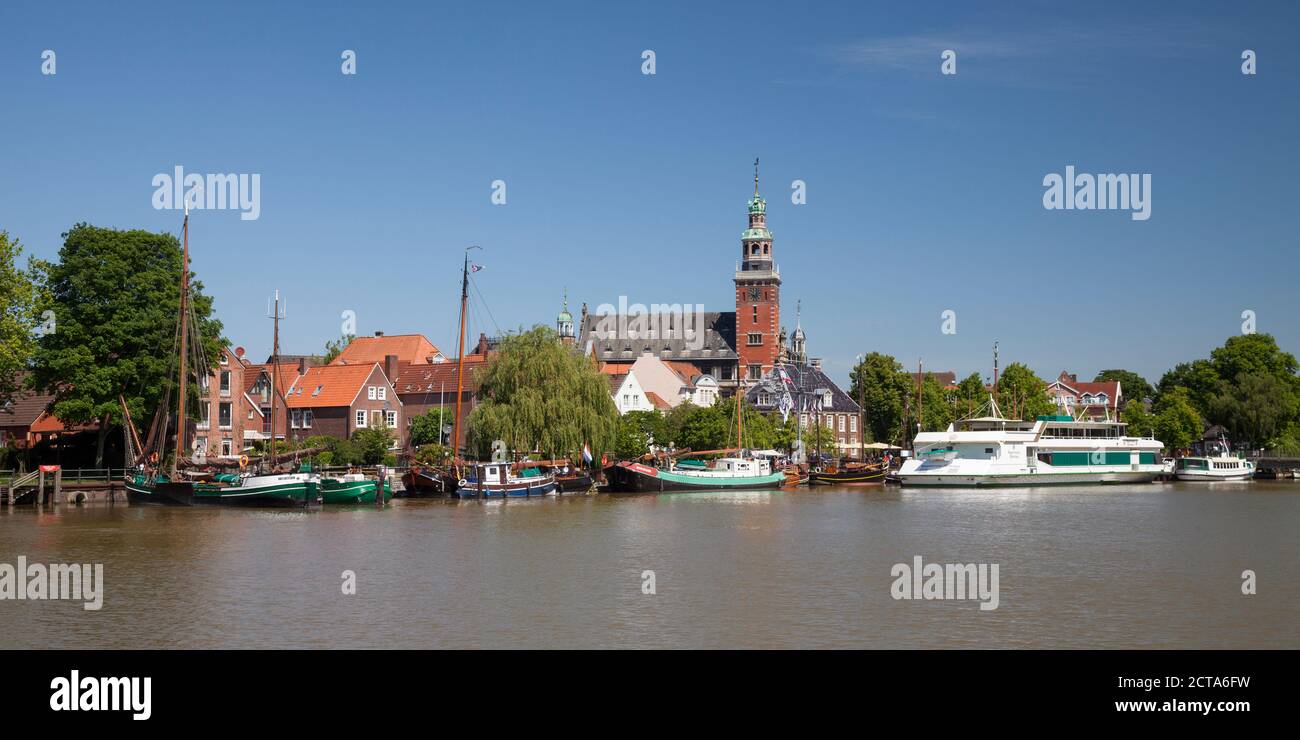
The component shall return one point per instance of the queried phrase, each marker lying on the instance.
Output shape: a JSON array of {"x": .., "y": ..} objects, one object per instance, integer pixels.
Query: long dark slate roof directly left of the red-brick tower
[{"x": 720, "y": 341}]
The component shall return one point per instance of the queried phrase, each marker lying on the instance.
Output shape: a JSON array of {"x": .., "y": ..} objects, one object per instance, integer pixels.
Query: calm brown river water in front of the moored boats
[{"x": 1145, "y": 566}]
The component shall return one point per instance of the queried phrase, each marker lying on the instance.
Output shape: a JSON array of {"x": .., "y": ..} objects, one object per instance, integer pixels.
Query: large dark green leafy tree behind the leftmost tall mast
[{"x": 116, "y": 298}]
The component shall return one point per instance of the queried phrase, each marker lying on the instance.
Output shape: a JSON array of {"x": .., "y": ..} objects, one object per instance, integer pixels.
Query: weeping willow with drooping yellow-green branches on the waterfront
[{"x": 541, "y": 397}]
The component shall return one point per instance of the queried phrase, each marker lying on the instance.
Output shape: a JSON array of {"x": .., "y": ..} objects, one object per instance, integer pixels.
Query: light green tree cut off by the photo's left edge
[{"x": 19, "y": 317}]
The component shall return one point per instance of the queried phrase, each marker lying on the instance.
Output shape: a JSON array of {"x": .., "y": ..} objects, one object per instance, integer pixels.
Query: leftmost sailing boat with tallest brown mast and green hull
[{"x": 146, "y": 481}]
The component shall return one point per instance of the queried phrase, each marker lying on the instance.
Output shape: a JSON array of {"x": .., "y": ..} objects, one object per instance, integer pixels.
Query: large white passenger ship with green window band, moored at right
[{"x": 996, "y": 452}]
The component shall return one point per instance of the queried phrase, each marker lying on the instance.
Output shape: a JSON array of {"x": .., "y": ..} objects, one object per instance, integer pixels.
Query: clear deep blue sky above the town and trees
[{"x": 924, "y": 192}]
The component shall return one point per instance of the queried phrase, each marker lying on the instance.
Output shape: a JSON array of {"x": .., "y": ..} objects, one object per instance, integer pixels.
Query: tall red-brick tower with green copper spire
[{"x": 759, "y": 295}]
